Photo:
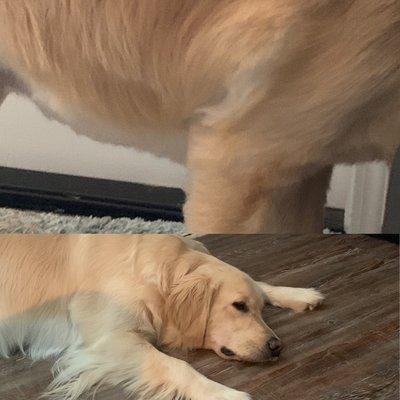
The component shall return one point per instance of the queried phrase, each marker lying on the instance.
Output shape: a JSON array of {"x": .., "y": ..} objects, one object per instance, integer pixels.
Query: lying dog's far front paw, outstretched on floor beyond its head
[{"x": 297, "y": 299}]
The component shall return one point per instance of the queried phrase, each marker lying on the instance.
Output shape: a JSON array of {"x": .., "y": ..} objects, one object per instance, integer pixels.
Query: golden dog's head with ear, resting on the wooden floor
[{"x": 218, "y": 307}]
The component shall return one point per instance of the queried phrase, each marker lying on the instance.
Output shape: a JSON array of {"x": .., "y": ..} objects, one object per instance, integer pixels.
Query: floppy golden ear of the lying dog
[{"x": 188, "y": 307}]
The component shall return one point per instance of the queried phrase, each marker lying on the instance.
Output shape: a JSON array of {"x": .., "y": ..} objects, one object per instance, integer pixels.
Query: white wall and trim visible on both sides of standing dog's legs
[{"x": 29, "y": 140}]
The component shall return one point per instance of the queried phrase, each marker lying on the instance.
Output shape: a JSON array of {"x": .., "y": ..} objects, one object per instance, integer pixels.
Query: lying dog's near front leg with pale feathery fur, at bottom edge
[{"x": 128, "y": 359}]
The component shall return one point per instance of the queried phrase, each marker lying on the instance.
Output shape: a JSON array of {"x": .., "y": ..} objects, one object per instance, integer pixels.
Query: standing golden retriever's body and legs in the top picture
[{"x": 260, "y": 98}]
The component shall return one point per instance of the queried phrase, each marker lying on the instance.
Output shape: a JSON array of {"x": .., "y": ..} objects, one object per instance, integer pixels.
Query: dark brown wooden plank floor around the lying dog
[{"x": 347, "y": 349}]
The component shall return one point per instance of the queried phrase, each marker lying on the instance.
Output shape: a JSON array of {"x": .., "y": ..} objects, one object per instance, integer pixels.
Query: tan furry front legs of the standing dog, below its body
[{"x": 241, "y": 196}]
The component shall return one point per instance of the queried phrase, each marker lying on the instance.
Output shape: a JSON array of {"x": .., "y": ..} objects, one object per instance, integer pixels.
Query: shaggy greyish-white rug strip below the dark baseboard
[{"x": 20, "y": 221}]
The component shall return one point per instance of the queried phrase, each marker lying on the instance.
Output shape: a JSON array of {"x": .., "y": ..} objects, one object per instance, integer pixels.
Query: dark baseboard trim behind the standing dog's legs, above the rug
[{"x": 76, "y": 195}]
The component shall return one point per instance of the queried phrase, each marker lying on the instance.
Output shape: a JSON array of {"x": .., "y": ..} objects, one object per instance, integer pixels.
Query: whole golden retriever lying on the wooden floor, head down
[{"x": 105, "y": 304}]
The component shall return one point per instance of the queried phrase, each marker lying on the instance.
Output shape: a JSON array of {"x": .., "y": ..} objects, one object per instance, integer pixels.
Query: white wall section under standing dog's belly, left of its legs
[{"x": 29, "y": 140}]
